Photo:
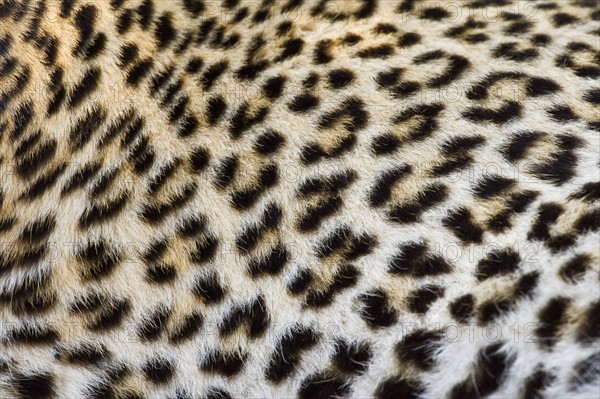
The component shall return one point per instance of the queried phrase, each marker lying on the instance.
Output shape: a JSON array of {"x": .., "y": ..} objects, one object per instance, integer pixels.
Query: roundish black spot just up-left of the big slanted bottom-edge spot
[{"x": 419, "y": 348}]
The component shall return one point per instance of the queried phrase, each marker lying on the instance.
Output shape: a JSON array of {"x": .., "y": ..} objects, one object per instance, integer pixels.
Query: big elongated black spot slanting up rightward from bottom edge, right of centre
[{"x": 490, "y": 371}]
